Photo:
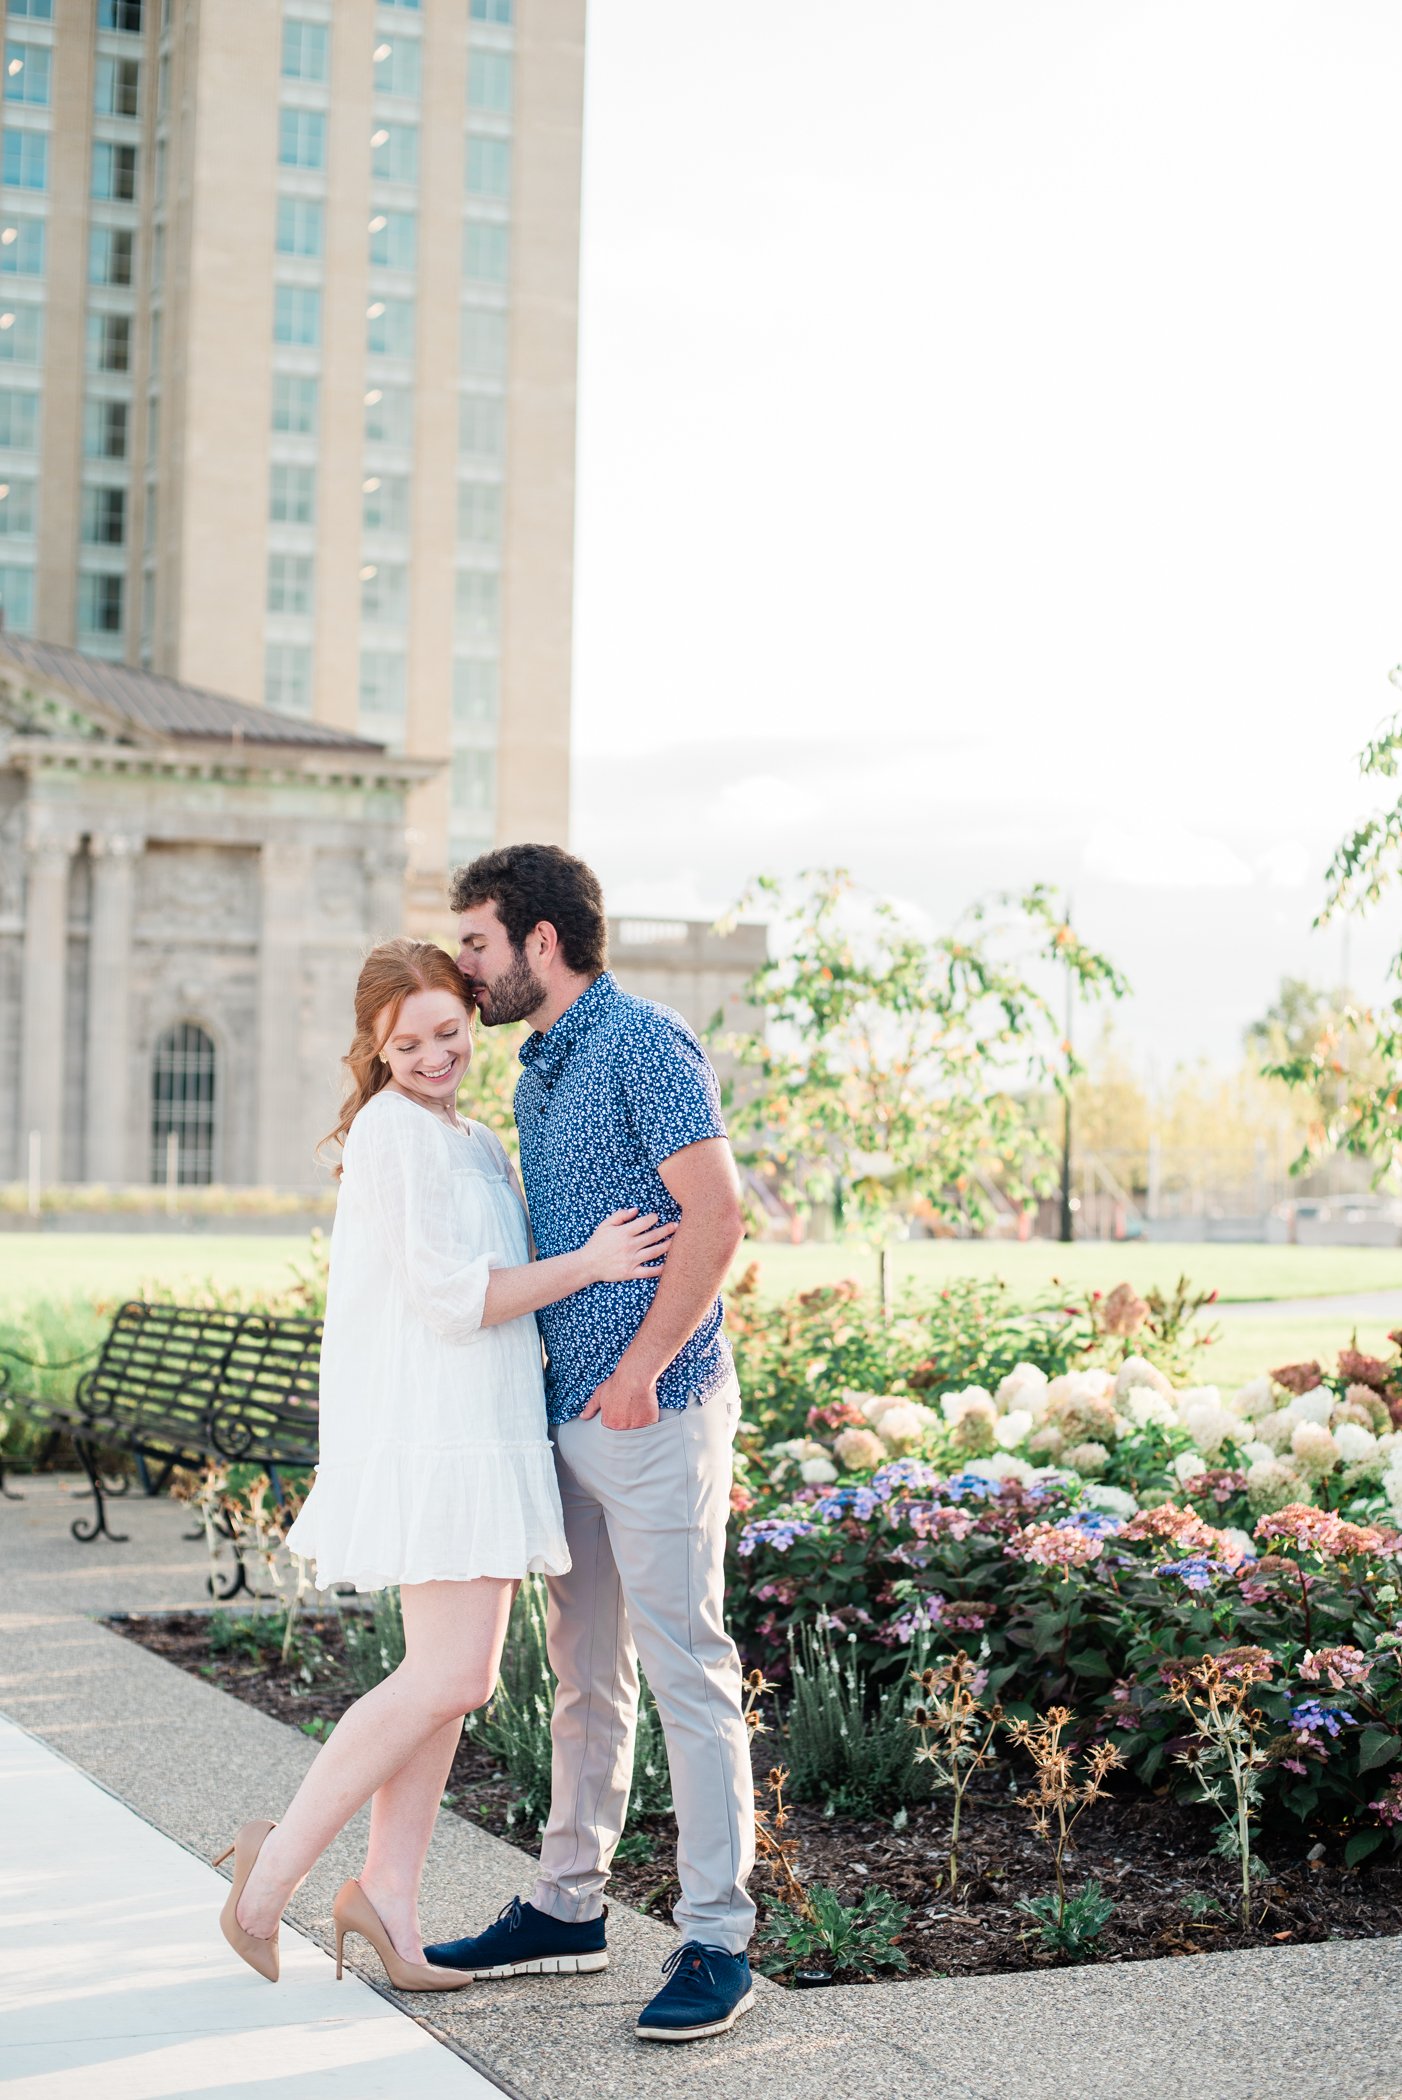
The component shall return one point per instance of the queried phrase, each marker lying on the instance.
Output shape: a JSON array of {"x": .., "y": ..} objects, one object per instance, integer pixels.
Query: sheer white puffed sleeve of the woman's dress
[{"x": 398, "y": 1169}]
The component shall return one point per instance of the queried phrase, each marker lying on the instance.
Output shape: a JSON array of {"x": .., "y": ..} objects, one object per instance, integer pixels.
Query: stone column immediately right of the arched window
[{"x": 282, "y": 1156}]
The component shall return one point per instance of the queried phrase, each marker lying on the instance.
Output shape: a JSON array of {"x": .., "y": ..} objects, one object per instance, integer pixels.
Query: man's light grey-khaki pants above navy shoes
[{"x": 645, "y": 1517}]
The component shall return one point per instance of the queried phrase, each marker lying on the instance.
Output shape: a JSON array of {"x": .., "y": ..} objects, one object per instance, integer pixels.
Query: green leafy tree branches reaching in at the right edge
[{"x": 1353, "y": 1066}]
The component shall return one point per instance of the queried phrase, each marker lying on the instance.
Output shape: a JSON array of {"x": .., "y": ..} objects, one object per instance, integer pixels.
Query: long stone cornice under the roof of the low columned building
[{"x": 217, "y": 761}]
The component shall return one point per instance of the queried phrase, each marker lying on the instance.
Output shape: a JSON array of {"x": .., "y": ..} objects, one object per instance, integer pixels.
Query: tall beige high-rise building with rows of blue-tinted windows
[{"x": 289, "y": 310}]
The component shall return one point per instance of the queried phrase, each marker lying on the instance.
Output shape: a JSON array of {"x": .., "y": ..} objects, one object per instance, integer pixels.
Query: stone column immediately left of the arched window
[{"x": 114, "y": 1129}]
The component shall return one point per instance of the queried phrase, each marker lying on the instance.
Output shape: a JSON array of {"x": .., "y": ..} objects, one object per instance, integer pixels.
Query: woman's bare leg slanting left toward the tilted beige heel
[{"x": 454, "y": 1635}]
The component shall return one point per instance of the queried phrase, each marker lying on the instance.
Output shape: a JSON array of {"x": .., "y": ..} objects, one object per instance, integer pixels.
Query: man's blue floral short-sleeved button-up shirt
[{"x": 606, "y": 1097}]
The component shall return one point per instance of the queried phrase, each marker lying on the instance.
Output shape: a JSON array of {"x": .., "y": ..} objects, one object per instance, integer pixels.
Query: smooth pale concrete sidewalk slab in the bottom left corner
[{"x": 114, "y": 1975}]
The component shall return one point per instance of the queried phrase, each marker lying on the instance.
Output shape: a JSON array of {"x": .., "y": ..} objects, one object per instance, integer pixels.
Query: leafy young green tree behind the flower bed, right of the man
[{"x": 895, "y": 1070}]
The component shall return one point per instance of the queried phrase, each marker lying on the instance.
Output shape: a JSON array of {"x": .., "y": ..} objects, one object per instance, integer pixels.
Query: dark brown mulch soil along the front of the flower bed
[{"x": 1151, "y": 1855}]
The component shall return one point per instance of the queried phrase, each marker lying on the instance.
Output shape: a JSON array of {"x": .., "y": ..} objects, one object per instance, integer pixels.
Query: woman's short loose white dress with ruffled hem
[{"x": 436, "y": 1463}]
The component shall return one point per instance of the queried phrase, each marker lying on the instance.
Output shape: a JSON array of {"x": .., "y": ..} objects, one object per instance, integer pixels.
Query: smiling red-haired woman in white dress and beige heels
[{"x": 436, "y": 1471}]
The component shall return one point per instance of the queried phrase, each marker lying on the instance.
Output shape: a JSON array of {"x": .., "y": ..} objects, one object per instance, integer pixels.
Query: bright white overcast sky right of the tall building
[{"x": 990, "y": 463}]
